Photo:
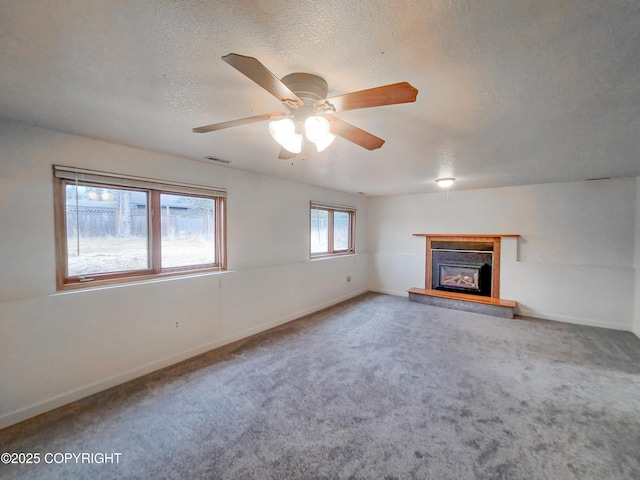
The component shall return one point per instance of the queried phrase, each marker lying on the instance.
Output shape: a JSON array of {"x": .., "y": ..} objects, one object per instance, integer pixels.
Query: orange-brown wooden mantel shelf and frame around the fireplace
[{"x": 465, "y": 237}]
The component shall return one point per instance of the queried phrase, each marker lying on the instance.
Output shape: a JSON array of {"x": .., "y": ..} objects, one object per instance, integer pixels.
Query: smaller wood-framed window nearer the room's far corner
[{"x": 332, "y": 229}]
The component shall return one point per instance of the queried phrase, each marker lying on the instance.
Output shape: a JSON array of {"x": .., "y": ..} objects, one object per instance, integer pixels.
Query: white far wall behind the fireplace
[{"x": 573, "y": 262}]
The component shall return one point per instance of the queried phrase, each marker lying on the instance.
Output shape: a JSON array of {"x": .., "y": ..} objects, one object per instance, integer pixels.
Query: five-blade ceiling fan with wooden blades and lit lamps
[{"x": 309, "y": 111}]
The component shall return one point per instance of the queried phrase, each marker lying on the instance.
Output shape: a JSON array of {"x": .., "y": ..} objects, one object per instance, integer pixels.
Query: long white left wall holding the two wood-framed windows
[{"x": 57, "y": 347}]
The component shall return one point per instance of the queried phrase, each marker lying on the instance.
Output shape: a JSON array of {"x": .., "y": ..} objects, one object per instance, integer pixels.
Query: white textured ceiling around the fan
[{"x": 510, "y": 92}]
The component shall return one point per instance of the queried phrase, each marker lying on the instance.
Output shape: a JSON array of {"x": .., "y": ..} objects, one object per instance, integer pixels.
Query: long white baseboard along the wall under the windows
[{"x": 38, "y": 408}]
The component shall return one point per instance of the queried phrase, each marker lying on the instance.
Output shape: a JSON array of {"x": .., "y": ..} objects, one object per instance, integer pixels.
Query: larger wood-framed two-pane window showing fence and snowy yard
[{"x": 112, "y": 228}]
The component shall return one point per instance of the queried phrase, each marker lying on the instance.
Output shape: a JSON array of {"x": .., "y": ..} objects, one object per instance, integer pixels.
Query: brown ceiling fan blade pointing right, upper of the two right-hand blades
[{"x": 402, "y": 92}]
